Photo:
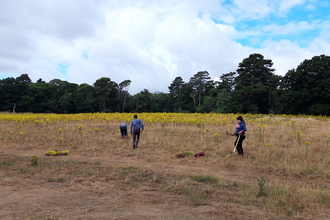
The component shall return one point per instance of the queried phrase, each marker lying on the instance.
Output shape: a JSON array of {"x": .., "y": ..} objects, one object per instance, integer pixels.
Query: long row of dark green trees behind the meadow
[{"x": 252, "y": 88}]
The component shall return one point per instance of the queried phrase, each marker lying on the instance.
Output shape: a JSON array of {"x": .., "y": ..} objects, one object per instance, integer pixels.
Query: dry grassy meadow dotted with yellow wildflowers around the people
[{"x": 284, "y": 174}]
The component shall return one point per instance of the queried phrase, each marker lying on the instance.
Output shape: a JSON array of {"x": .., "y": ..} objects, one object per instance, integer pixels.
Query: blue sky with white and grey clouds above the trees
[{"x": 151, "y": 42}]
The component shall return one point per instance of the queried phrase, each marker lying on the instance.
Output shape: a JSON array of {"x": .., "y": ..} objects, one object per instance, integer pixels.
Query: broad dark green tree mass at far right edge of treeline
[{"x": 306, "y": 89}]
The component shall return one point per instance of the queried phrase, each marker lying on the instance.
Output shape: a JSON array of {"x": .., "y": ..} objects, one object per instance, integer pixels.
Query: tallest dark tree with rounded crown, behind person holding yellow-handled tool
[{"x": 252, "y": 85}]
